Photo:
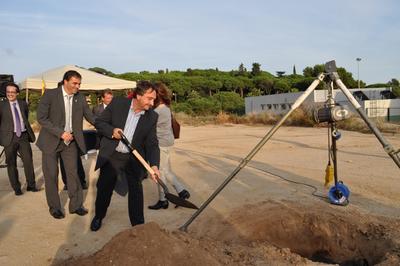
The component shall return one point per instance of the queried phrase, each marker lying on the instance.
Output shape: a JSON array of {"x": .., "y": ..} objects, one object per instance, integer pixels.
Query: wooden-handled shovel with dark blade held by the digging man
[{"x": 170, "y": 197}]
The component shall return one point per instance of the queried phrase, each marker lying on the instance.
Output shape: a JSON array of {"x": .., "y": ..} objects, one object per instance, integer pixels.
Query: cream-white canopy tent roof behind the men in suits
[{"x": 91, "y": 81}]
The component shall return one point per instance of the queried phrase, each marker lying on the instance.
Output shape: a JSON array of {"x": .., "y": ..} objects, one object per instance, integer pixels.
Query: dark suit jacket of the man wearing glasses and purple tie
[{"x": 7, "y": 123}]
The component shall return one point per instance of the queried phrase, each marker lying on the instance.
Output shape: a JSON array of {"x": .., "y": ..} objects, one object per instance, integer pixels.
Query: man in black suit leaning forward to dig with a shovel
[{"x": 135, "y": 118}]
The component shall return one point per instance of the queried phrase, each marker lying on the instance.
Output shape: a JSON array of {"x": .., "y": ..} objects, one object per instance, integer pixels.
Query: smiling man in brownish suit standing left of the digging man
[{"x": 60, "y": 113}]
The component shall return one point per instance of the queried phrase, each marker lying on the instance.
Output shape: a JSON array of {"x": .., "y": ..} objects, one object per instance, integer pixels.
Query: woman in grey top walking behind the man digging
[{"x": 166, "y": 141}]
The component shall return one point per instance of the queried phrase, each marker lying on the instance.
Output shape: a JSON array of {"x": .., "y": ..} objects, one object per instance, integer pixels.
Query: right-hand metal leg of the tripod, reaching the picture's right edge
[{"x": 386, "y": 145}]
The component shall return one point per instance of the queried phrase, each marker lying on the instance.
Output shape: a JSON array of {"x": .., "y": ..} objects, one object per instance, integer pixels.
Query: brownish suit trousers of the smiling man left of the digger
[{"x": 50, "y": 173}]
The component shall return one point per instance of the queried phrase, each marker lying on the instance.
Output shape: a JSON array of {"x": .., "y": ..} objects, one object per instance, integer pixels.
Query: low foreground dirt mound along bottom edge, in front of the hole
[{"x": 150, "y": 245}]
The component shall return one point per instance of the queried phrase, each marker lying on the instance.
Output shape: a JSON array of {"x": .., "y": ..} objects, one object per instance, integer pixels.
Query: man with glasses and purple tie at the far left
[{"x": 16, "y": 135}]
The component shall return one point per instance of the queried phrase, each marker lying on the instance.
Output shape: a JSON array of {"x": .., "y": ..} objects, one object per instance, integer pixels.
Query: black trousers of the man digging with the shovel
[{"x": 109, "y": 172}]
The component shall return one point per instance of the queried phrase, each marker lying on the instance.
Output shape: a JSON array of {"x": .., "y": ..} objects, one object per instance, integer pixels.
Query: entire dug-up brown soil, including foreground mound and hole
[{"x": 268, "y": 233}]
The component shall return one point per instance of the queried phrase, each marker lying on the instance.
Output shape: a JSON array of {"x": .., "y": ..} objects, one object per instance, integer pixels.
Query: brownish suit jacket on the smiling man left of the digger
[{"x": 51, "y": 116}]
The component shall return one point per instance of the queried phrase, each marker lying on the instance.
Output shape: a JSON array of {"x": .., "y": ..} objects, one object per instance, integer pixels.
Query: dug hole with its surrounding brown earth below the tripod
[{"x": 320, "y": 232}]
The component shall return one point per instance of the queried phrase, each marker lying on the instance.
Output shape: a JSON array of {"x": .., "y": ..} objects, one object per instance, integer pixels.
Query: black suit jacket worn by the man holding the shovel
[{"x": 144, "y": 139}]
